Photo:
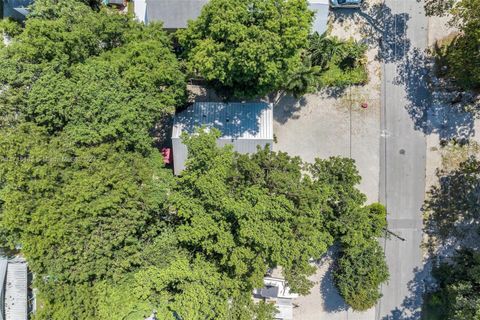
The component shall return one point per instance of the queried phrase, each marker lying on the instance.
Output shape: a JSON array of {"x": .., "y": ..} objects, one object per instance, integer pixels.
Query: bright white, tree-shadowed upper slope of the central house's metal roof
[{"x": 234, "y": 120}]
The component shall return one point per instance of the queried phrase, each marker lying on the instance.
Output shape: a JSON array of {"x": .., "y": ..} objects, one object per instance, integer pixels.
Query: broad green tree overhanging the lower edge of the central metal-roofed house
[{"x": 244, "y": 212}]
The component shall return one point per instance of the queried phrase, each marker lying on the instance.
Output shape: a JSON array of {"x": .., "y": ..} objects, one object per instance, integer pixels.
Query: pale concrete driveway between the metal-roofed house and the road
[{"x": 334, "y": 124}]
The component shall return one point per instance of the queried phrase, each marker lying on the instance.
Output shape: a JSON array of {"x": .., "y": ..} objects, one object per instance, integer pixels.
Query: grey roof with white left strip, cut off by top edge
[{"x": 173, "y": 13}]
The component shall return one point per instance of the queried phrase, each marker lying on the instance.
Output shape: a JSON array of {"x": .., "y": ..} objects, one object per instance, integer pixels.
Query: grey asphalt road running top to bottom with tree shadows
[{"x": 402, "y": 160}]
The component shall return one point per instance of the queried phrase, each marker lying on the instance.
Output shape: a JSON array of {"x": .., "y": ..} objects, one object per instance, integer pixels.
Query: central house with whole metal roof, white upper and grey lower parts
[{"x": 243, "y": 125}]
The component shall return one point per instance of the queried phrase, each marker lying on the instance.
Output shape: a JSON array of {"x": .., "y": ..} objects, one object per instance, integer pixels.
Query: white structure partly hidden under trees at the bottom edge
[{"x": 277, "y": 292}]
